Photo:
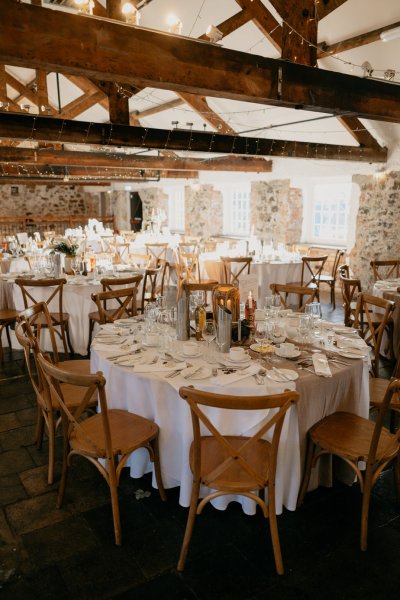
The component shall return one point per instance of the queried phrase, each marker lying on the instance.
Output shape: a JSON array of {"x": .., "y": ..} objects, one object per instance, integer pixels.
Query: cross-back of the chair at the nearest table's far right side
[{"x": 365, "y": 321}]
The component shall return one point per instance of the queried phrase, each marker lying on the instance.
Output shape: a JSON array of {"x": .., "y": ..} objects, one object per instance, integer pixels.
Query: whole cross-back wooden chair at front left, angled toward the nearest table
[{"x": 104, "y": 437}]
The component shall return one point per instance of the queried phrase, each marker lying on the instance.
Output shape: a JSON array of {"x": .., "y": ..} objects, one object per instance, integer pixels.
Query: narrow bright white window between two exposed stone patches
[{"x": 236, "y": 209}]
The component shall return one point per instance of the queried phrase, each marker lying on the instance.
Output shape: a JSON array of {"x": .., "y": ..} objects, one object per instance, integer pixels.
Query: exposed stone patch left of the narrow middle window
[{"x": 203, "y": 211}]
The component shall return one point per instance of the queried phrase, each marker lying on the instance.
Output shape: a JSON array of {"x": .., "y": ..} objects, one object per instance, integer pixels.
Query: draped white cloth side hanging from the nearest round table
[{"x": 156, "y": 398}]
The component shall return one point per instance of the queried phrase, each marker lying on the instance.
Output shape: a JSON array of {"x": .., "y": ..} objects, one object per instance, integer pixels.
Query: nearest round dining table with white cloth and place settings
[{"x": 152, "y": 392}]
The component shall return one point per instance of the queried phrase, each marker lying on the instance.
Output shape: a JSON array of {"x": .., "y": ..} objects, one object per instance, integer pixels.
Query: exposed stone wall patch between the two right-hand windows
[{"x": 276, "y": 211}]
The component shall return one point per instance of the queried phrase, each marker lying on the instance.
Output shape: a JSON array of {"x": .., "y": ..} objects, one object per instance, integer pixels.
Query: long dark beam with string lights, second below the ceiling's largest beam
[{"x": 48, "y": 129}]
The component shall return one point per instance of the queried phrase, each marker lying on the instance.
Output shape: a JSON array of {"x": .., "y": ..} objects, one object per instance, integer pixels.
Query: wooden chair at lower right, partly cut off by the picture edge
[{"x": 354, "y": 439}]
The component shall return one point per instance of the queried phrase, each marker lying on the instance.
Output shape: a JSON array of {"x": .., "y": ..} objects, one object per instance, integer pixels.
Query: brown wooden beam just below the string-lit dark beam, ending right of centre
[{"x": 44, "y": 156}]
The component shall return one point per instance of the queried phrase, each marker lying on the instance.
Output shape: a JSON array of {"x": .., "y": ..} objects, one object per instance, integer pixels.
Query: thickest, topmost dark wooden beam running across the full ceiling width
[{"x": 105, "y": 51}]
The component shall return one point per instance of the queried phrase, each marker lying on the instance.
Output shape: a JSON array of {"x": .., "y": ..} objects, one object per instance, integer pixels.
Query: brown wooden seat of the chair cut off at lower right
[{"x": 349, "y": 435}]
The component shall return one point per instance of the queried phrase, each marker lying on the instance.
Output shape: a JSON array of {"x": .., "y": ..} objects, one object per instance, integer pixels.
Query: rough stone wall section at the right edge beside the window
[{"x": 377, "y": 228}]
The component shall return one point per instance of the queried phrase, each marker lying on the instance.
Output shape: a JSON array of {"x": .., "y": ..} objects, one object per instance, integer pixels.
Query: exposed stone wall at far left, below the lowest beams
[{"x": 47, "y": 200}]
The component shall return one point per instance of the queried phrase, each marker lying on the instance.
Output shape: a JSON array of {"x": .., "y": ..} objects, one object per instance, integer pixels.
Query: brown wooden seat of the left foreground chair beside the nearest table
[{"x": 128, "y": 432}]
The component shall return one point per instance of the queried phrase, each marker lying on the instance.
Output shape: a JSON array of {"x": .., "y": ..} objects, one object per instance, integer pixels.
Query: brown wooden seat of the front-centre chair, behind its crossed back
[{"x": 235, "y": 477}]
